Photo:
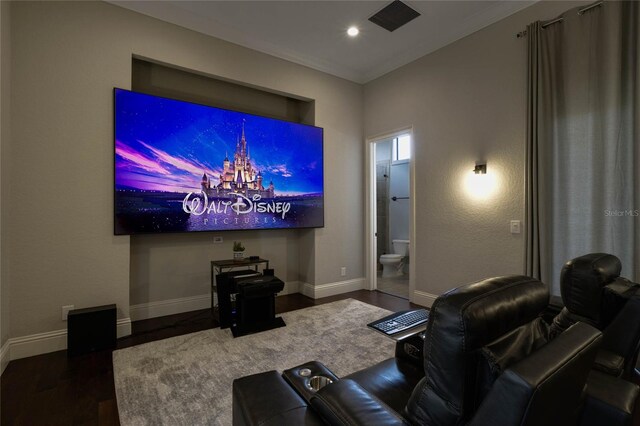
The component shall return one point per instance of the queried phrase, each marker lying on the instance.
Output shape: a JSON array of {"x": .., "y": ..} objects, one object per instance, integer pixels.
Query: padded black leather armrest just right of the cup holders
[{"x": 347, "y": 403}]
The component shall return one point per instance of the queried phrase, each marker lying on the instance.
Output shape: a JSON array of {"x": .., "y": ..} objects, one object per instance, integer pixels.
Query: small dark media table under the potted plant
[{"x": 221, "y": 293}]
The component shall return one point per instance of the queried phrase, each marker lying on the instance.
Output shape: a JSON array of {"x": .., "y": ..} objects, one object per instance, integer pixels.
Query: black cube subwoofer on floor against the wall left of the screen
[{"x": 91, "y": 329}]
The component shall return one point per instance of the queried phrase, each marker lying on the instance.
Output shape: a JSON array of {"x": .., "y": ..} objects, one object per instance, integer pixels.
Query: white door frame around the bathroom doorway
[{"x": 371, "y": 208}]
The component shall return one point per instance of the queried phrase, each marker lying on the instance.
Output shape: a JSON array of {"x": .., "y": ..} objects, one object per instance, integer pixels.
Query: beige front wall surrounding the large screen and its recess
[{"x": 67, "y": 58}]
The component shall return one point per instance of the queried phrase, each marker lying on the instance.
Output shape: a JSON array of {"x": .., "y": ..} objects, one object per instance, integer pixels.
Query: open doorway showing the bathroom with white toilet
[{"x": 391, "y": 214}]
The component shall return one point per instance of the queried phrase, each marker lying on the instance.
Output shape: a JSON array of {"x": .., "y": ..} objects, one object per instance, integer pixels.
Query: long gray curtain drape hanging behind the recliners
[{"x": 583, "y": 130}]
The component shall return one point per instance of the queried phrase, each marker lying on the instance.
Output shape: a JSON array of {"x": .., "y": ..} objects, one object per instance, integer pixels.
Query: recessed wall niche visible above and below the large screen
[{"x": 175, "y": 267}]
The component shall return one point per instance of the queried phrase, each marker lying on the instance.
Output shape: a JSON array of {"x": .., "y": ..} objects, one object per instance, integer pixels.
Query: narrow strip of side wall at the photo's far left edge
[{"x": 5, "y": 92}]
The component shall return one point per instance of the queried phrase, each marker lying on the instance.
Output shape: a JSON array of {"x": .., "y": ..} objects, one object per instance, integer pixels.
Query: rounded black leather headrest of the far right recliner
[{"x": 582, "y": 280}]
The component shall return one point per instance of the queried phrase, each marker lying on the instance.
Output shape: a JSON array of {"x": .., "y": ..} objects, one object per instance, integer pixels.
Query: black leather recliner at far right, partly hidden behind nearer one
[{"x": 593, "y": 292}]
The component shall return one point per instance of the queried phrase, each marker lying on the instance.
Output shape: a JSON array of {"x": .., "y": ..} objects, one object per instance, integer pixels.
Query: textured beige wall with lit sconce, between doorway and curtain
[{"x": 467, "y": 103}]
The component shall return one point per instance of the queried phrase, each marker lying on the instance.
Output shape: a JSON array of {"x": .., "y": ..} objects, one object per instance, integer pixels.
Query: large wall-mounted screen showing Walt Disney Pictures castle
[{"x": 184, "y": 167}]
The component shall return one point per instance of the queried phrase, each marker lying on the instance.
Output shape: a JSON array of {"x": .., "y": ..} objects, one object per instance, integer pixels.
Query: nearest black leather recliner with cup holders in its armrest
[{"x": 487, "y": 361}]
